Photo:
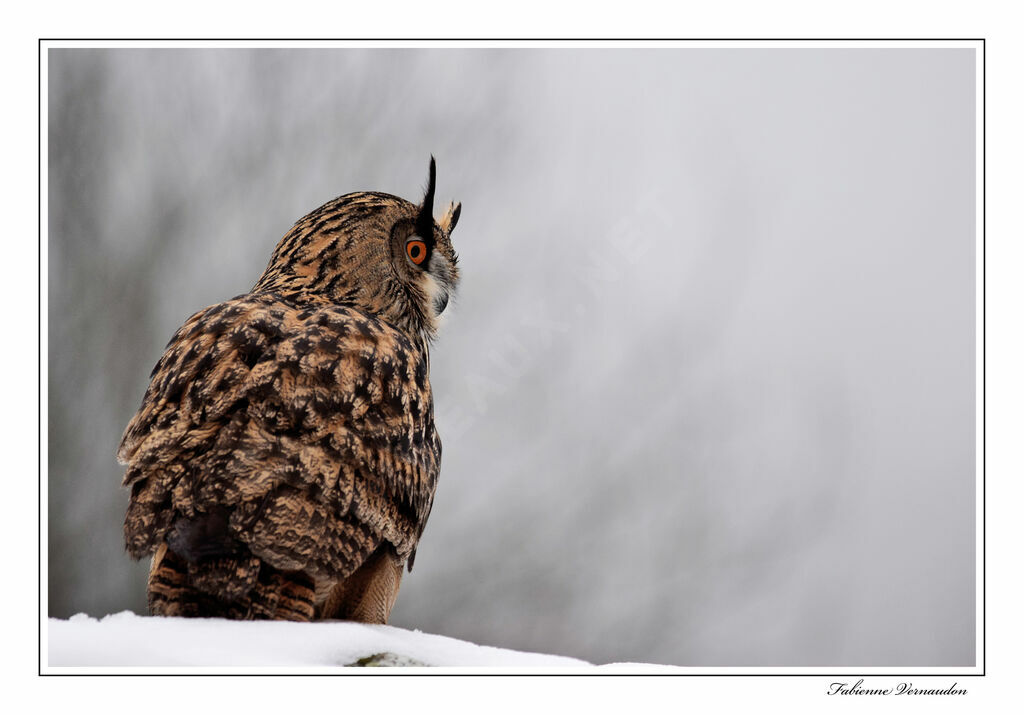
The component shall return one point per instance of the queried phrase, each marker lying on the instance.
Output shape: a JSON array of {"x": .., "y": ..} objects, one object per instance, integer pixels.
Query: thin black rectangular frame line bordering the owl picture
[{"x": 399, "y": 672}]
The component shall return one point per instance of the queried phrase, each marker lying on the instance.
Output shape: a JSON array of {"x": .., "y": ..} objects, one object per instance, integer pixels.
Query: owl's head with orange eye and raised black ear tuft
[{"x": 372, "y": 251}]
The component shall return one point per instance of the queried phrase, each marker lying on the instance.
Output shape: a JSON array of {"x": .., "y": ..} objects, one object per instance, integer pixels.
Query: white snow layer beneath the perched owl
[{"x": 126, "y": 640}]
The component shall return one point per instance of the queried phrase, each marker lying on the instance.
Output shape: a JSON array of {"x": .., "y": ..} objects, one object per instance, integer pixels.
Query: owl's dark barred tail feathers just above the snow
[{"x": 240, "y": 588}]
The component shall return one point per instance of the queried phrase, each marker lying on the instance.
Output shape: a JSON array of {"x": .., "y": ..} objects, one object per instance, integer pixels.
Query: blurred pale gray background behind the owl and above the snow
[{"x": 708, "y": 393}]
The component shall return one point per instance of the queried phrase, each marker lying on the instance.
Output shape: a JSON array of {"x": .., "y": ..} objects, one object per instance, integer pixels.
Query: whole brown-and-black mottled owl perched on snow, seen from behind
[{"x": 284, "y": 461}]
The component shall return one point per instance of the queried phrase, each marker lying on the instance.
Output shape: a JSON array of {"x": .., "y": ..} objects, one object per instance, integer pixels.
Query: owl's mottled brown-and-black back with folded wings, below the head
[{"x": 311, "y": 428}]
